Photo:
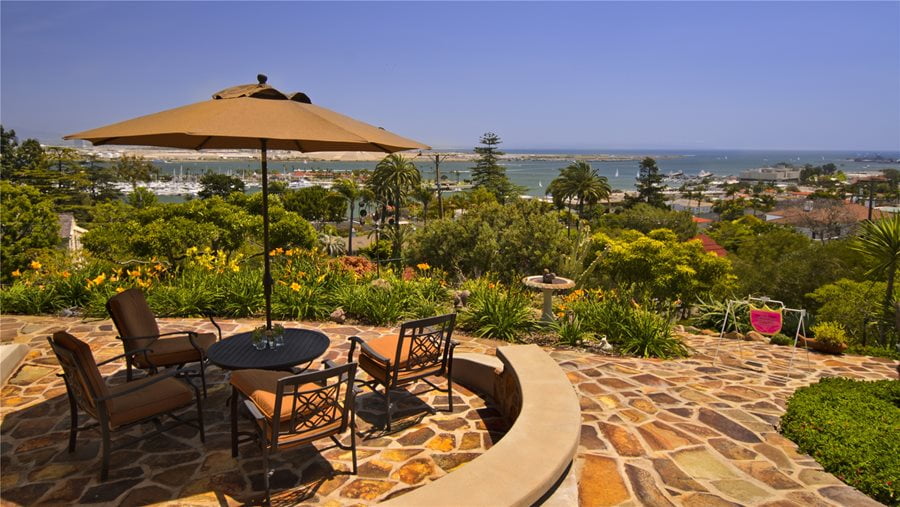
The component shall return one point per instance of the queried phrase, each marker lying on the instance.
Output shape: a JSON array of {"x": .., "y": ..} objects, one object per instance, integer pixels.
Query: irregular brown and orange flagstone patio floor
[{"x": 684, "y": 432}]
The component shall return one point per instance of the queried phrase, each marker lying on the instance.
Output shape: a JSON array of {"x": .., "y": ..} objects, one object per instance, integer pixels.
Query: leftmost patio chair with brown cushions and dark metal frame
[{"x": 120, "y": 406}]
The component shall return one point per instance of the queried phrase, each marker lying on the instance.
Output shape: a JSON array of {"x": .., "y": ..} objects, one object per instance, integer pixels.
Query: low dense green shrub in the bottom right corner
[{"x": 852, "y": 428}]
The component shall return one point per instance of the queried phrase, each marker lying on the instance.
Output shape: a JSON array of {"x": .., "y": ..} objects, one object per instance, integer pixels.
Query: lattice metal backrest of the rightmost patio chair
[{"x": 426, "y": 342}]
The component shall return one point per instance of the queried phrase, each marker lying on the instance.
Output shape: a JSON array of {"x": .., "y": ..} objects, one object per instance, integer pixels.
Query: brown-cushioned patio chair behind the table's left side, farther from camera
[{"x": 138, "y": 330}]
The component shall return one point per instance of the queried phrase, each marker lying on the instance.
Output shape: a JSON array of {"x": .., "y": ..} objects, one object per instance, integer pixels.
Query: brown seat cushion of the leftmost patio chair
[{"x": 159, "y": 398}]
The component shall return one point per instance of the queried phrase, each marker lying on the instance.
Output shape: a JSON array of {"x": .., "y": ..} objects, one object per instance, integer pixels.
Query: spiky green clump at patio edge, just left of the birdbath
[{"x": 499, "y": 312}]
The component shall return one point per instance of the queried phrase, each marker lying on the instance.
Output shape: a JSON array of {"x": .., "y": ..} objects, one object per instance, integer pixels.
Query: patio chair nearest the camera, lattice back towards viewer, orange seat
[{"x": 310, "y": 406}]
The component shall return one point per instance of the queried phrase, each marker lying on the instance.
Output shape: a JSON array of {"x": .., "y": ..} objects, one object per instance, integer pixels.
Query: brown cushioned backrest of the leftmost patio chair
[{"x": 83, "y": 379}]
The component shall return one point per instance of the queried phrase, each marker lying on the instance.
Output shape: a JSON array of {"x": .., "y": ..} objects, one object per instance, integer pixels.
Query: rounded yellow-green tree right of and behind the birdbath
[{"x": 658, "y": 266}]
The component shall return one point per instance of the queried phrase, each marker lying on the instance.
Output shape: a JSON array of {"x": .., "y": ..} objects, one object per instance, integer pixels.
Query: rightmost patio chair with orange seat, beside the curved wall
[{"x": 423, "y": 348}]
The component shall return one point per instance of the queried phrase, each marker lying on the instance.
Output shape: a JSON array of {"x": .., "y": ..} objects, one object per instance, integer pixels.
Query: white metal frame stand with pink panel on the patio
[{"x": 766, "y": 318}]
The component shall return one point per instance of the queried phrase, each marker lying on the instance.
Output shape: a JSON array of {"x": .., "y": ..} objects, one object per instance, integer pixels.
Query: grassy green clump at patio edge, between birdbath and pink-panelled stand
[{"x": 647, "y": 334}]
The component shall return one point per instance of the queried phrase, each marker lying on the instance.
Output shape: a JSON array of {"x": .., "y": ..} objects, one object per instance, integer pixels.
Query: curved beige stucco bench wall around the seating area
[{"x": 530, "y": 460}]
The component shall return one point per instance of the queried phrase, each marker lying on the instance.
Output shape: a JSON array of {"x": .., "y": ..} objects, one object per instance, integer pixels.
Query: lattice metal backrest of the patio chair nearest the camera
[{"x": 321, "y": 403}]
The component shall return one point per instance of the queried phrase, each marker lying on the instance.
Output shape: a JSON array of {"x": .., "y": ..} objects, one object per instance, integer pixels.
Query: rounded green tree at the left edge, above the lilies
[{"x": 29, "y": 226}]
